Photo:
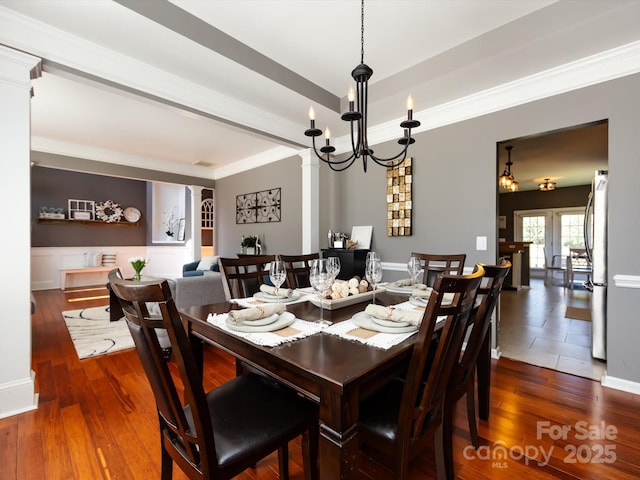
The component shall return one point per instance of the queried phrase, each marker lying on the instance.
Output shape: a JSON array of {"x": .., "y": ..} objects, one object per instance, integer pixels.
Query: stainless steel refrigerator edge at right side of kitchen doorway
[{"x": 595, "y": 233}]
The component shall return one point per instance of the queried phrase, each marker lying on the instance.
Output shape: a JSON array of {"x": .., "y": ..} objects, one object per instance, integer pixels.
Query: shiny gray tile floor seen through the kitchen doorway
[{"x": 533, "y": 329}]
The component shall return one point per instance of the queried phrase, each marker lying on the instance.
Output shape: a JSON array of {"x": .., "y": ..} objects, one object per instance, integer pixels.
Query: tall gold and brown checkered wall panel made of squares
[{"x": 400, "y": 199}]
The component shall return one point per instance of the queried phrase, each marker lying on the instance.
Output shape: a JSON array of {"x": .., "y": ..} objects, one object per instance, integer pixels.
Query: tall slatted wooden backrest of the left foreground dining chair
[{"x": 187, "y": 431}]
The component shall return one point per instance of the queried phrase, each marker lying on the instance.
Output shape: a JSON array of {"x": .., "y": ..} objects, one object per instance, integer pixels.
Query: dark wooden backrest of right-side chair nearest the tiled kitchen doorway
[{"x": 488, "y": 294}]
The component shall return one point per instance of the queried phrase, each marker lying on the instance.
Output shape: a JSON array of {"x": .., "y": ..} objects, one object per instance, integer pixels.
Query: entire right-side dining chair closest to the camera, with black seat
[{"x": 405, "y": 416}]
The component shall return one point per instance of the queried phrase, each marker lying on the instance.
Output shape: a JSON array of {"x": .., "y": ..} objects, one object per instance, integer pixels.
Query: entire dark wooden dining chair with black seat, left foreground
[{"x": 220, "y": 433}]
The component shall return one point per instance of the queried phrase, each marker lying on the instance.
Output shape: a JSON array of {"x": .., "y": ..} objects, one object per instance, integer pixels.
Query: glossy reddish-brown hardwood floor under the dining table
[{"x": 97, "y": 419}]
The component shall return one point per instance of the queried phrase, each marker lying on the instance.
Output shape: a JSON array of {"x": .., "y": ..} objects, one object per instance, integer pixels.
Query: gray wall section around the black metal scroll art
[{"x": 283, "y": 237}]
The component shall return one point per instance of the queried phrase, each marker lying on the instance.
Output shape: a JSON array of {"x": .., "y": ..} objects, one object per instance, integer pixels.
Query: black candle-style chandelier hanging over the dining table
[{"x": 357, "y": 116}]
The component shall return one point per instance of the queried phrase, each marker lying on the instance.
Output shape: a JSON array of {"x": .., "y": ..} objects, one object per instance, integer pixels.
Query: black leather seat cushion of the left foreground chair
[{"x": 252, "y": 415}]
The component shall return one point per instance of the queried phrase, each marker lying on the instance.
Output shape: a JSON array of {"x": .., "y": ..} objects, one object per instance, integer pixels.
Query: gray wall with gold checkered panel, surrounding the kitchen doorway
[{"x": 455, "y": 191}]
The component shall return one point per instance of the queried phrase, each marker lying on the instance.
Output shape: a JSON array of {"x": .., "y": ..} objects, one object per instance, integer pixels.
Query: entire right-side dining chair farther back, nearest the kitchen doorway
[{"x": 462, "y": 378}]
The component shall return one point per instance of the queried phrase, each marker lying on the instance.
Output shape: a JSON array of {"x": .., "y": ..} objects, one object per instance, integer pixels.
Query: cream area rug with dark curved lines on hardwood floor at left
[{"x": 93, "y": 334}]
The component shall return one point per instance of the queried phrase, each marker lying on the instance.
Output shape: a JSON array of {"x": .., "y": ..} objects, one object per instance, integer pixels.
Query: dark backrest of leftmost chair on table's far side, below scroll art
[{"x": 242, "y": 277}]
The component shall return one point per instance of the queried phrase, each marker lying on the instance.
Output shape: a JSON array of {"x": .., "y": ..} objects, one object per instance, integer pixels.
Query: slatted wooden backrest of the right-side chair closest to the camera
[{"x": 423, "y": 402}]
